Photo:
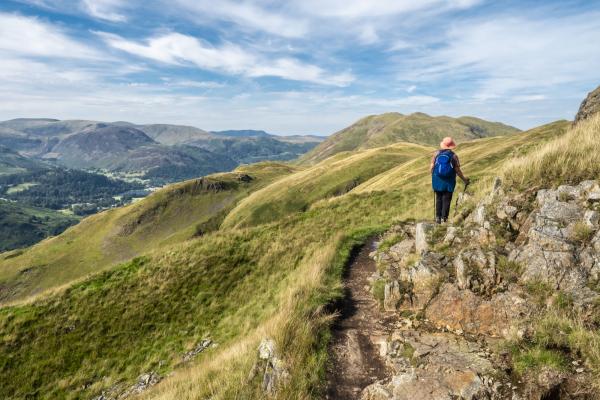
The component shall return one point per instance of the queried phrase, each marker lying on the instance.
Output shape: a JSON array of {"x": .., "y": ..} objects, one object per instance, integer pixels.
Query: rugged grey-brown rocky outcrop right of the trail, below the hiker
[{"x": 461, "y": 289}]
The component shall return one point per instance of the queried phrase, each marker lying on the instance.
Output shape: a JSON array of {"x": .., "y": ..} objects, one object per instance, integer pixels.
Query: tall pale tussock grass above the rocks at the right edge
[{"x": 571, "y": 158}]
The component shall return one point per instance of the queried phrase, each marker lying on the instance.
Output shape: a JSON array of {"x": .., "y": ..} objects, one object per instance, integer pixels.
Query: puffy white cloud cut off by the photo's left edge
[{"x": 31, "y": 37}]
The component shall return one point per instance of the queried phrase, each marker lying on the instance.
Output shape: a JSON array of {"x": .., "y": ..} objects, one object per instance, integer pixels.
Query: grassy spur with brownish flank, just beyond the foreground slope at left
[{"x": 171, "y": 215}]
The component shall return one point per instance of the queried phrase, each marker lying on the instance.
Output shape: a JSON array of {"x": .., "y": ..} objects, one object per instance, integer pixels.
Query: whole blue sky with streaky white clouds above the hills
[{"x": 296, "y": 66}]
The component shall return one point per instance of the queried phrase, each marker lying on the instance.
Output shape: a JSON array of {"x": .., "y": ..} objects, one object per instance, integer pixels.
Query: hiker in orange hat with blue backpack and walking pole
[{"x": 444, "y": 168}]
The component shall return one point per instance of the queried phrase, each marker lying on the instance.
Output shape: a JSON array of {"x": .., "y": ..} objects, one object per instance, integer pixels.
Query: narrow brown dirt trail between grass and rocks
[{"x": 356, "y": 362}]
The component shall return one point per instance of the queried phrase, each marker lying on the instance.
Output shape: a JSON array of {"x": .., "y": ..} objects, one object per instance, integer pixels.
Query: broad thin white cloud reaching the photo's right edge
[{"x": 515, "y": 54}]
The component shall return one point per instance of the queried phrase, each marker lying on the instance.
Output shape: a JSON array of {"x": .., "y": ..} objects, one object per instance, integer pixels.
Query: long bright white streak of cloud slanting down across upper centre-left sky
[{"x": 178, "y": 49}]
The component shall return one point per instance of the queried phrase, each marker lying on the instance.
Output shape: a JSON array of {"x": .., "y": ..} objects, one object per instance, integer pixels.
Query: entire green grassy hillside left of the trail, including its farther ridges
[{"x": 260, "y": 273}]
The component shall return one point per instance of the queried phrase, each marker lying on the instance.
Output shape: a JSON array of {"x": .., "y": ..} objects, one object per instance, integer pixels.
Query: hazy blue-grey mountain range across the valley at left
[{"x": 162, "y": 153}]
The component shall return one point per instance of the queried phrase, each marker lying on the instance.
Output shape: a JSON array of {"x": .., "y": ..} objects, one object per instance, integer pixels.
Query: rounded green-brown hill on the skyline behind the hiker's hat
[{"x": 385, "y": 129}]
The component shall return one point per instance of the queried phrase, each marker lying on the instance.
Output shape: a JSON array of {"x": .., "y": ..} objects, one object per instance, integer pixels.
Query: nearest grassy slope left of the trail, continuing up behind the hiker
[{"x": 234, "y": 285}]
